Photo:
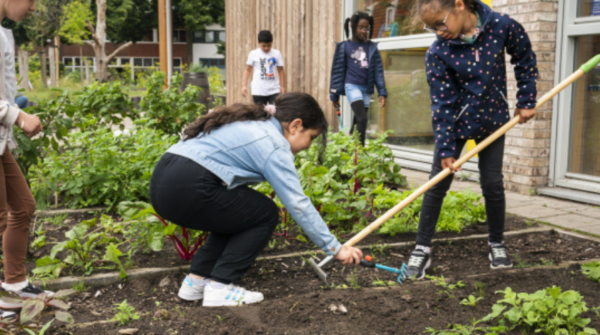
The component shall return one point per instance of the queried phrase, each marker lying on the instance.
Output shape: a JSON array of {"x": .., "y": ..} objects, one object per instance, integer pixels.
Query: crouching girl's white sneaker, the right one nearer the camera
[{"x": 229, "y": 295}]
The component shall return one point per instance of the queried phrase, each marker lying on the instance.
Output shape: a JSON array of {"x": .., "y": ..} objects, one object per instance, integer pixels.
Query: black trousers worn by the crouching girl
[{"x": 240, "y": 221}]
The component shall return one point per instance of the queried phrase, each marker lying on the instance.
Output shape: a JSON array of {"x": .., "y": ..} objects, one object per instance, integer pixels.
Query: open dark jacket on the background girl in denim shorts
[{"x": 338, "y": 72}]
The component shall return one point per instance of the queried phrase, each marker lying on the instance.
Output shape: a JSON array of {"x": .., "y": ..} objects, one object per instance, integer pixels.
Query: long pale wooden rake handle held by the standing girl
[{"x": 446, "y": 172}]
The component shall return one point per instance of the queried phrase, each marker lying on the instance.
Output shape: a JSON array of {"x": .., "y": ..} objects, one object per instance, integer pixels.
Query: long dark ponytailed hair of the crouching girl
[{"x": 290, "y": 106}]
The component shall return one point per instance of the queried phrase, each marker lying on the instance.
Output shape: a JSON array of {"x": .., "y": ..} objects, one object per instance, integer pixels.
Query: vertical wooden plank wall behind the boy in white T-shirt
[{"x": 303, "y": 30}]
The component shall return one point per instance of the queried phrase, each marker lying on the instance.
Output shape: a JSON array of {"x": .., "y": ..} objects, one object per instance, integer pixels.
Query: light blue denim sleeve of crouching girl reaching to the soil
[{"x": 280, "y": 172}]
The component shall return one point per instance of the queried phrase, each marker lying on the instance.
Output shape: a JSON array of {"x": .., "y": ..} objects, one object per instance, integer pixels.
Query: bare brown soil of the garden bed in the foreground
[{"x": 297, "y": 303}]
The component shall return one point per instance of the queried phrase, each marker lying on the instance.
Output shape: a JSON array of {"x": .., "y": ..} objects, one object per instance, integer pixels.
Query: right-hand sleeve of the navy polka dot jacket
[{"x": 524, "y": 59}]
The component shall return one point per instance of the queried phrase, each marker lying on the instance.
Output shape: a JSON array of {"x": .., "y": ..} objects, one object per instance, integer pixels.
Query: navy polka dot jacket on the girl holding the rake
[{"x": 468, "y": 81}]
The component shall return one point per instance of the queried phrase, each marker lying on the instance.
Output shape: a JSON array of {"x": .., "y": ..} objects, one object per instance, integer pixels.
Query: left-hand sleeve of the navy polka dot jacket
[{"x": 444, "y": 93}]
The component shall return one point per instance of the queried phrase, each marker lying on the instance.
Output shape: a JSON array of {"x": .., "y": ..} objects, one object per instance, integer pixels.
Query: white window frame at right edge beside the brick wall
[{"x": 569, "y": 28}]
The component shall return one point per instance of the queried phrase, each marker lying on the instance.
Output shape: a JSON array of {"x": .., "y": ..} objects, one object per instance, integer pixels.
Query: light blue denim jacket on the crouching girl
[{"x": 254, "y": 151}]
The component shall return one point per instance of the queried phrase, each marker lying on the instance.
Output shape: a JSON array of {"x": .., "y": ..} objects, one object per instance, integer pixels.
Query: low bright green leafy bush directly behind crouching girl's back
[{"x": 101, "y": 168}]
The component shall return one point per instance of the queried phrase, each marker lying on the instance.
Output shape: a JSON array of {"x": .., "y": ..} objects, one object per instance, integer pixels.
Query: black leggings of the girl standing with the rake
[{"x": 490, "y": 170}]
